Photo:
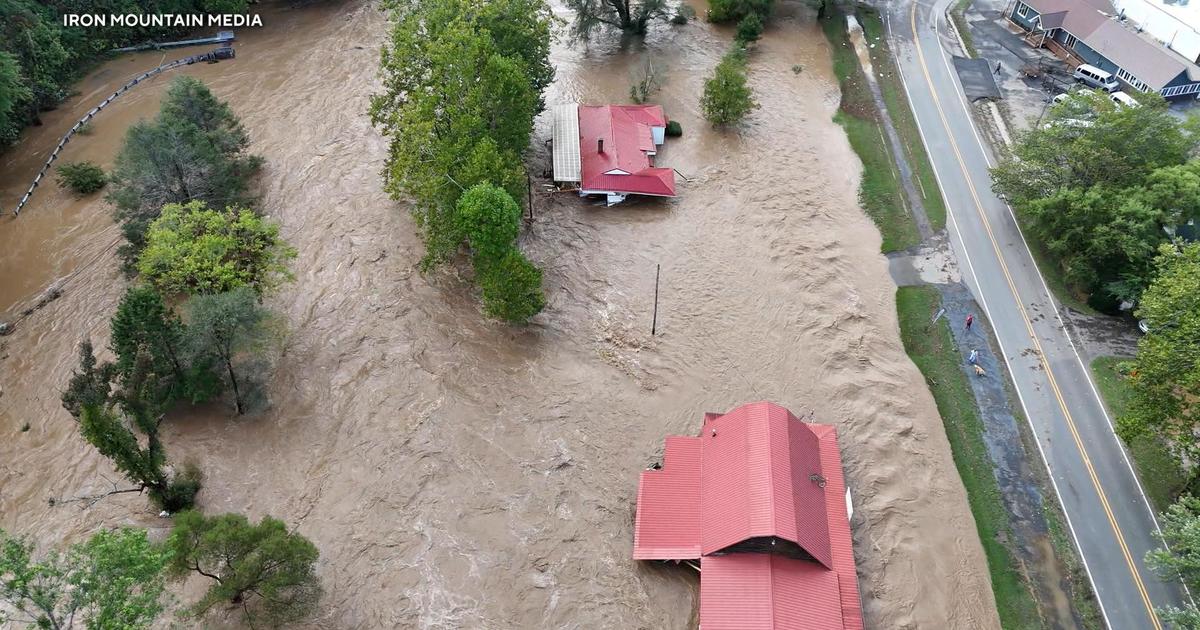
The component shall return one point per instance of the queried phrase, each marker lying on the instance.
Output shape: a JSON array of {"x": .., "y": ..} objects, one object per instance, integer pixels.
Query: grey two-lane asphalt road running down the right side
[{"x": 1109, "y": 517}]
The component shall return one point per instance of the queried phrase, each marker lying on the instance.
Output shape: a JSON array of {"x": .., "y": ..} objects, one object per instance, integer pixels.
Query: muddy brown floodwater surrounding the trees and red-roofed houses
[{"x": 459, "y": 473}]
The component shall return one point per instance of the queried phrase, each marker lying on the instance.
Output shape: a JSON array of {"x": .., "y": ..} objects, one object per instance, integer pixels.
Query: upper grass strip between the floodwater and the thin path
[{"x": 880, "y": 193}]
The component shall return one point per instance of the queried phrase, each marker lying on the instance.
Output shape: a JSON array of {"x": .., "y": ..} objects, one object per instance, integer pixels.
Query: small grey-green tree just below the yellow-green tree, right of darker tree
[{"x": 229, "y": 332}]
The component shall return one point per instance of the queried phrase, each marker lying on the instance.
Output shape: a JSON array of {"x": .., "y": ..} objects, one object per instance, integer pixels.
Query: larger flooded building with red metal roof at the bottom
[{"x": 760, "y": 501}]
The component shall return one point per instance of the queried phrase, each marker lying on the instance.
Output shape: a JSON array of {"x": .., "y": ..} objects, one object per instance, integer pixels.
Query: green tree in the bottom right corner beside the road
[{"x": 1180, "y": 556}]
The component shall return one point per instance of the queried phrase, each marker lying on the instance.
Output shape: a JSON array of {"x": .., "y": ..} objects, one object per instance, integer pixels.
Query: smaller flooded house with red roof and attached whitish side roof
[{"x": 610, "y": 151}]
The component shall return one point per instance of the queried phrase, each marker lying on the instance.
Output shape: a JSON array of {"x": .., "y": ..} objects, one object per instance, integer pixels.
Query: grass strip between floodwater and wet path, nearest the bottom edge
[{"x": 932, "y": 349}]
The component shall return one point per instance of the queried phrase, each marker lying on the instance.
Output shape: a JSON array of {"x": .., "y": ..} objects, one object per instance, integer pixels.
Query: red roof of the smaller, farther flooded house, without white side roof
[{"x": 628, "y": 142}]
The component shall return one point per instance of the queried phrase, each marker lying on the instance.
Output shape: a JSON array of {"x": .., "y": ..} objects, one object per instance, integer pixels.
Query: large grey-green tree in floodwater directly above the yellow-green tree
[{"x": 193, "y": 151}]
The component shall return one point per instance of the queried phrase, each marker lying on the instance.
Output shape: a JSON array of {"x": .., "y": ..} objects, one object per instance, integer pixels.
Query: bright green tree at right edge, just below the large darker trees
[{"x": 1166, "y": 375}]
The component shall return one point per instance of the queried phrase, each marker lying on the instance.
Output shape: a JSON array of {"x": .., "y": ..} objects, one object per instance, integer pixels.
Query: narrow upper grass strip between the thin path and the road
[{"x": 896, "y": 99}]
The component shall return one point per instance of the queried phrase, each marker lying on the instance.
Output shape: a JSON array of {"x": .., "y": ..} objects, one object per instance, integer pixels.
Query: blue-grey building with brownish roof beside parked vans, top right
[{"x": 1087, "y": 32}]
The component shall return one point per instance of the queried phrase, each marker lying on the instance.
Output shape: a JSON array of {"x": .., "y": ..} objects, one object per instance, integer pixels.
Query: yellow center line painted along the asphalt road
[{"x": 1029, "y": 328}]
